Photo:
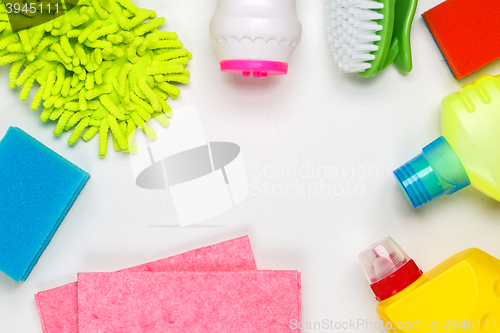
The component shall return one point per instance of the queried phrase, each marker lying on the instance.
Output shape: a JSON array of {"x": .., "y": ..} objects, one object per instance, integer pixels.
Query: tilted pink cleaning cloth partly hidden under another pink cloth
[{"x": 58, "y": 308}]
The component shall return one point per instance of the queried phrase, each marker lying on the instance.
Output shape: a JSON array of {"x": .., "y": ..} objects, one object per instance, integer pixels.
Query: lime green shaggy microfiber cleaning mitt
[{"x": 103, "y": 67}]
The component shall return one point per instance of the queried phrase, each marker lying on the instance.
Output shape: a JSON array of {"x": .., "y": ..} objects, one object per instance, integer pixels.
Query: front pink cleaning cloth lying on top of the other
[{"x": 194, "y": 302}]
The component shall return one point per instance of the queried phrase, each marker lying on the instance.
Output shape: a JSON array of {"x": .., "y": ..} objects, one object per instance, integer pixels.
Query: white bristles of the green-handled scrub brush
[{"x": 352, "y": 27}]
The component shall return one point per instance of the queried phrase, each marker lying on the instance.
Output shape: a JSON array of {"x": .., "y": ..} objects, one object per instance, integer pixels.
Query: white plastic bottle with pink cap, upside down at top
[{"x": 255, "y": 37}]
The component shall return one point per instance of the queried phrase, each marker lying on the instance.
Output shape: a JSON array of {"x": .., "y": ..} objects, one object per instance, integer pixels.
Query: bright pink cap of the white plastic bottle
[{"x": 257, "y": 68}]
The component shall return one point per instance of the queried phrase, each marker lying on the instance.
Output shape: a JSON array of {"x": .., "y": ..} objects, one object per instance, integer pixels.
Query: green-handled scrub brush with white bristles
[{"x": 366, "y": 36}]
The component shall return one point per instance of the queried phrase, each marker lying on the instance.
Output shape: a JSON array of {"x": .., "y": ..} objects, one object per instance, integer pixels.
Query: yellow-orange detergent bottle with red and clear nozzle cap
[{"x": 460, "y": 295}]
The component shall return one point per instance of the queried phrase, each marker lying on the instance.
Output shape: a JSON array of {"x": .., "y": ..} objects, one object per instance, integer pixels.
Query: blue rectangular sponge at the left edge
[{"x": 37, "y": 189}]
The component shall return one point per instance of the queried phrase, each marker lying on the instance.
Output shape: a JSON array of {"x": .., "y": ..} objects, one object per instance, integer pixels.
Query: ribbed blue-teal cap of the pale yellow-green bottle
[{"x": 434, "y": 172}]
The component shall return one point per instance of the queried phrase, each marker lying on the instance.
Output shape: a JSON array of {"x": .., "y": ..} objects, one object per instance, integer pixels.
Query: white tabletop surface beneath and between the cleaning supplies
[{"x": 313, "y": 117}]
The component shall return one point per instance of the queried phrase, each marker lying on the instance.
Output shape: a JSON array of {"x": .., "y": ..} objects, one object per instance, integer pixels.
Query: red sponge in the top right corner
[{"x": 467, "y": 32}]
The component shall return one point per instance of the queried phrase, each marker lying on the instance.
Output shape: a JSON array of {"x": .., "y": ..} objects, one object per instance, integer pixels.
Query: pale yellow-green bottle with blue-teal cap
[{"x": 468, "y": 151}]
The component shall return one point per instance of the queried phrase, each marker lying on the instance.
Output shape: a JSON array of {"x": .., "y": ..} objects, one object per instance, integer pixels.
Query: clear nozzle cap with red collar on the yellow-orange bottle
[{"x": 388, "y": 268}]
